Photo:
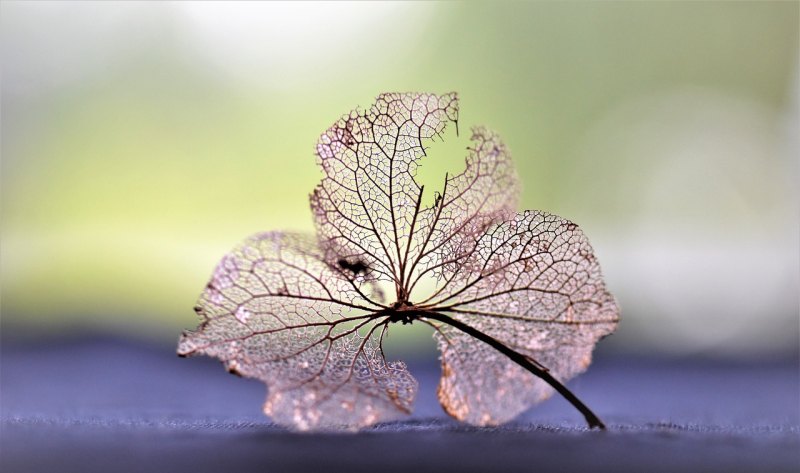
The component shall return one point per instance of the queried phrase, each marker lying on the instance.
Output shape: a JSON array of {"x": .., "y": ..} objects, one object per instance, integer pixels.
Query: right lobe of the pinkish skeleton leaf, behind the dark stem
[{"x": 533, "y": 284}]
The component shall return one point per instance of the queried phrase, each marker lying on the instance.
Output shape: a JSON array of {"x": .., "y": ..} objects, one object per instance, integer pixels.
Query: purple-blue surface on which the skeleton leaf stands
[{"x": 108, "y": 405}]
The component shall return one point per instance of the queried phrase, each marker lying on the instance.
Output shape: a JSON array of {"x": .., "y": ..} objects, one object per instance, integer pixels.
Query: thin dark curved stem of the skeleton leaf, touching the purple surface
[{"x": 520, "y": 359}]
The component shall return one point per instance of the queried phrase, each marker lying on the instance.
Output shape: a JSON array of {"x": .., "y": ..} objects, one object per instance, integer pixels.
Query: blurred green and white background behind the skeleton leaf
[{"x": 141, "y": 141}]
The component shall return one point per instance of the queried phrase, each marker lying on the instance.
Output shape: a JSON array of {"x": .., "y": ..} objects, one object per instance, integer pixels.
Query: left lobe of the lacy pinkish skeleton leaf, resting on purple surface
[{"x": 275, "y": 311}]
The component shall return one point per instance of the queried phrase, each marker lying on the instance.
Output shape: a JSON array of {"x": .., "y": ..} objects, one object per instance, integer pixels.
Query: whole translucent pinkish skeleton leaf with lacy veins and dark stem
[{"x": 519, "y": 306}]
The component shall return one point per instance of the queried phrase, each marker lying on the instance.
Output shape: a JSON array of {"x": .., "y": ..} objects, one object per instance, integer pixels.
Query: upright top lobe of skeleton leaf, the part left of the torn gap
[{"x": 367, "y": 204}]
